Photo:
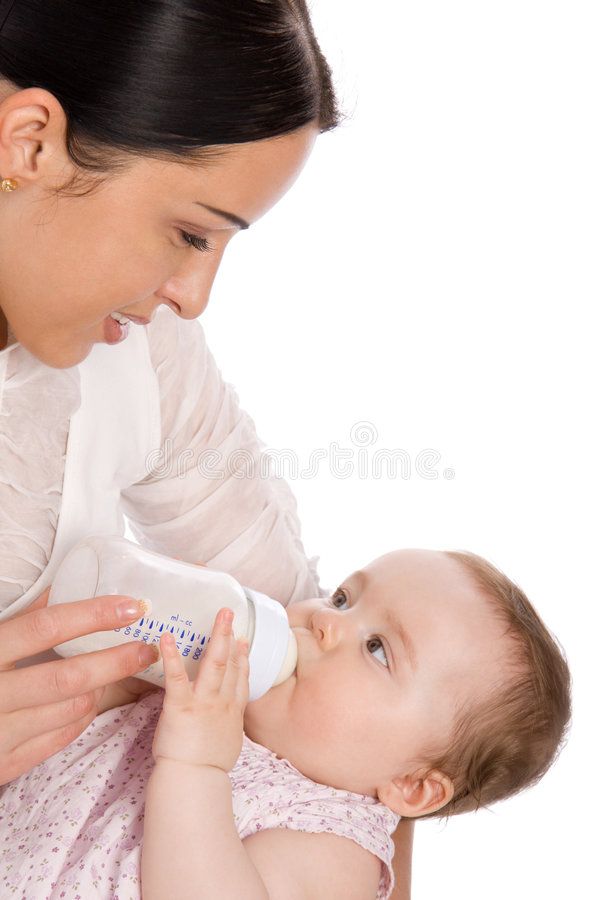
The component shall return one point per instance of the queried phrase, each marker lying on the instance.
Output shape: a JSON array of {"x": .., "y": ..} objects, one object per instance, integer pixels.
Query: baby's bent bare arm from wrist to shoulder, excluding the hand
[{"x": 189, "y": 819}]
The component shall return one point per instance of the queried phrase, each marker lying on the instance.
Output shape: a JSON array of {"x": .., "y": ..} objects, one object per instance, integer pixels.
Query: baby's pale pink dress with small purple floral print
[{"x": 72, "y": 827}]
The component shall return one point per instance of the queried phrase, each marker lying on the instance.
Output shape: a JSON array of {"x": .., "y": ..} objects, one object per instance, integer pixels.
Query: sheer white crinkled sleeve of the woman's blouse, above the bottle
[{"x": 209, "y": 495}]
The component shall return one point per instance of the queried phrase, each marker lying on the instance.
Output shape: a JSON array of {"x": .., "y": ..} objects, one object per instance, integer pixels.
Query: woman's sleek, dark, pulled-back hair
[{"x": 168, "y": 79}]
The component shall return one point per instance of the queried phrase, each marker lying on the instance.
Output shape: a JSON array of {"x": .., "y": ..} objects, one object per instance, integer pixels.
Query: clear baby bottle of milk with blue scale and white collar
[{"x": 181, "y": 598}]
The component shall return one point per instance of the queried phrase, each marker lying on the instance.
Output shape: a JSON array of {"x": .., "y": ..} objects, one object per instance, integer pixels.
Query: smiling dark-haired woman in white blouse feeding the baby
[{"x": 135, "y": 141}]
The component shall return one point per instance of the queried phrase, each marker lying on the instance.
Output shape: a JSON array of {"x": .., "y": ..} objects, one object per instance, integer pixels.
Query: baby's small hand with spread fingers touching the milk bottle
[{"x": 202, "y": 722}]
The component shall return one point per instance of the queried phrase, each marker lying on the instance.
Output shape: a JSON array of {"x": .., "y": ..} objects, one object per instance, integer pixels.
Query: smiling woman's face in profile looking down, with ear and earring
[{"x": 67, "y": 263}]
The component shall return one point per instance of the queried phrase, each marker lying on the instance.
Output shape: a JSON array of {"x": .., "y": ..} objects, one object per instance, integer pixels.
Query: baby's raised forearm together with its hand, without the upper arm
[{"x": 191, "y": 847}]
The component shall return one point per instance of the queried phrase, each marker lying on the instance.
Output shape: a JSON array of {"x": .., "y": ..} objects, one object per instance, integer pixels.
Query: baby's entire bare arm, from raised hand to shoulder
[{"x": 191, "y": 846}]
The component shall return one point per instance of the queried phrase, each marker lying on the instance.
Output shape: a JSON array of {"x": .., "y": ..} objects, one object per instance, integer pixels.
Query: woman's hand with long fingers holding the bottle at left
[{"x": 44, "y": 707}]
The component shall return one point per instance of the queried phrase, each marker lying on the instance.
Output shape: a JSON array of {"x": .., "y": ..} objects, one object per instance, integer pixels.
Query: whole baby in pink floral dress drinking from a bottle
[{"x": 426, "y": 685}]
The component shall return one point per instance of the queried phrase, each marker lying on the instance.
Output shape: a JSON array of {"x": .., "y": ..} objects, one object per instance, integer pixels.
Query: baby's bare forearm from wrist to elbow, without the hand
[{"x": 191, "y": 847}]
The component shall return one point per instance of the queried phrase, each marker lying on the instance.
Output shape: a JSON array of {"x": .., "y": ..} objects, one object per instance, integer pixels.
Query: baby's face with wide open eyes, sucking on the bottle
[{"x": 370, "y": 697}]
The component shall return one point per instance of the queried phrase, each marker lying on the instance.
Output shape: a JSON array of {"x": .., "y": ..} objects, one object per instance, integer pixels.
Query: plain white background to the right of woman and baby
[{"x": 434, "y": 273}]
